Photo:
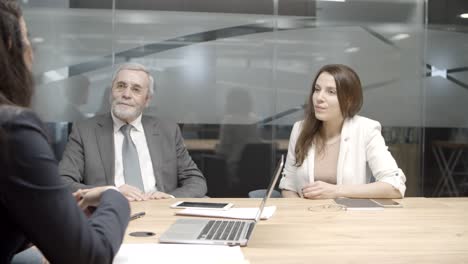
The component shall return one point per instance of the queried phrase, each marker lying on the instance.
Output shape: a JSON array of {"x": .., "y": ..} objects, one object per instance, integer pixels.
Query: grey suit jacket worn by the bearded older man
[{"x": 89, "y": 156}]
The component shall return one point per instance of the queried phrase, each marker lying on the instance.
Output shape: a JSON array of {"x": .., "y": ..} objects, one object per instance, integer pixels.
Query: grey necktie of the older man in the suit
[{"x": 131, "y": 164}]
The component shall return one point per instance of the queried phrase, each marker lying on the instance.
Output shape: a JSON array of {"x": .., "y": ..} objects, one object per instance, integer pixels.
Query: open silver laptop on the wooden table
[{"x": 218, "y": 231}]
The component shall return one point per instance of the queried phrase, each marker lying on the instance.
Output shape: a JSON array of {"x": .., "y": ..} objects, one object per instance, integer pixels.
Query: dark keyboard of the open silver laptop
[{"x": 222, "y": 230}]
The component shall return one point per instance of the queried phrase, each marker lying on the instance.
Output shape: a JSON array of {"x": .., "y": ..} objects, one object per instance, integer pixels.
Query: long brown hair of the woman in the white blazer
[{"x": 349, "y": 92}]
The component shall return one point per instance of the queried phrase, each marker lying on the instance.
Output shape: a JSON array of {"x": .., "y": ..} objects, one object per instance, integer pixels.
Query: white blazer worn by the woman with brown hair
[{"x": 363, "y": 153}]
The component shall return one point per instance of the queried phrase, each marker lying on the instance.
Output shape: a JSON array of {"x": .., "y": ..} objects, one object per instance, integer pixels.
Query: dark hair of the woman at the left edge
[{"x": 15, "y": 77}]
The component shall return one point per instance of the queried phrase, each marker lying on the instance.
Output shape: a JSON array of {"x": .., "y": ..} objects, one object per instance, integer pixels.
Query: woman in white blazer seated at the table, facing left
[{"x": 334, "y": 152}]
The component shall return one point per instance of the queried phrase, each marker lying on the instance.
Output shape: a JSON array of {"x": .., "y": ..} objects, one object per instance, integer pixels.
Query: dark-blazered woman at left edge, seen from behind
[{"x": 36, "y": 206}]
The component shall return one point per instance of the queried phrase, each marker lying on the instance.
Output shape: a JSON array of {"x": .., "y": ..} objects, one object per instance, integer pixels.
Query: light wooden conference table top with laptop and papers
[{"x": 425, "y": 230}]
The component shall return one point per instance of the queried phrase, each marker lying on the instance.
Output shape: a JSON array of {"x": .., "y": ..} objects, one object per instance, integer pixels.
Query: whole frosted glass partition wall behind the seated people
[{"x": 235, "y": 76}]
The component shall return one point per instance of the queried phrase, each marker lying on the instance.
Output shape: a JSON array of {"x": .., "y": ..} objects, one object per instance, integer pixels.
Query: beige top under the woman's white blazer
[{"x": 326, "y": 162}]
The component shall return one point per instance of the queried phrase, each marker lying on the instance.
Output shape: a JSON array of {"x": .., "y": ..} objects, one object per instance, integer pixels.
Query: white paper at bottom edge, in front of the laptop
[{"x": 178, "y": 253}]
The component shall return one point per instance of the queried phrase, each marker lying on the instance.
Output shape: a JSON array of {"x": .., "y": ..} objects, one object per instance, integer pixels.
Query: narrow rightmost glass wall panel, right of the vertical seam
[{"x": 445, "y": 99}]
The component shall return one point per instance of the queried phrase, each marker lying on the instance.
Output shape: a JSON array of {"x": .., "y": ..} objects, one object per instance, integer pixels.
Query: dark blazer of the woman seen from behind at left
[{"x": 37, "y": 207}]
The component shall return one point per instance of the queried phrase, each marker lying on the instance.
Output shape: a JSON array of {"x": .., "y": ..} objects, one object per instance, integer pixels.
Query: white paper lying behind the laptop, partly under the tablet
[{"x": 237, "y": 213}]
